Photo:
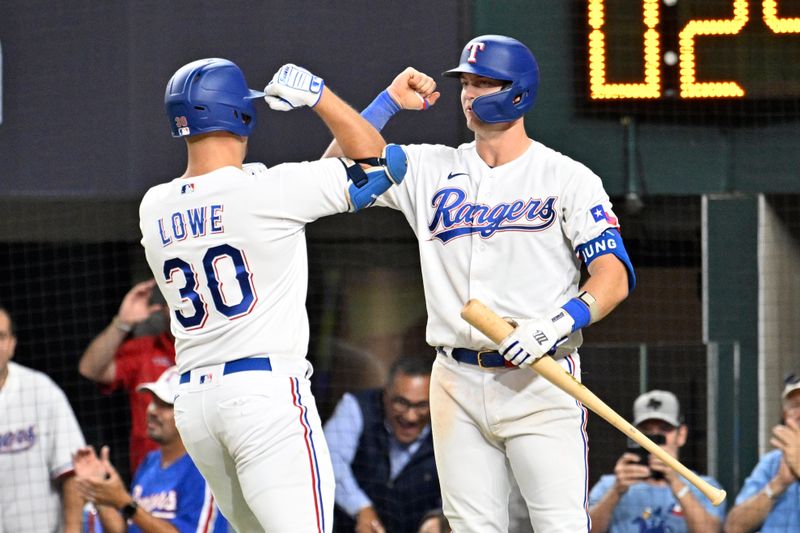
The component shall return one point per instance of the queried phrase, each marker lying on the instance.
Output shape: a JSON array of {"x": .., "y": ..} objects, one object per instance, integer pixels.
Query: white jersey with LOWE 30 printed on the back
[{"x": 228, "y": 251}]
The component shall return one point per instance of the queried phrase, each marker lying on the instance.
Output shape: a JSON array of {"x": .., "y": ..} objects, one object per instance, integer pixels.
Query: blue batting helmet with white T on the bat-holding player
[{"x": 505, "y": 59}]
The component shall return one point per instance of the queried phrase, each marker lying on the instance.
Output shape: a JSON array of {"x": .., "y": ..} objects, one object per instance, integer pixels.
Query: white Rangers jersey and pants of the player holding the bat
[{"x": 508, "y": 237}]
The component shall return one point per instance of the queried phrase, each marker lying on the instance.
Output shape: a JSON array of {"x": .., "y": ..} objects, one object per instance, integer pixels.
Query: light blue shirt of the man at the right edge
[{"x": 785, "y": 513}]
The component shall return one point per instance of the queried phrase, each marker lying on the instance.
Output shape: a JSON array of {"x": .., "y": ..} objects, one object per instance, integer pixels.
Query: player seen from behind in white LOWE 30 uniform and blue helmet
[{"x": 226, "y": 244}]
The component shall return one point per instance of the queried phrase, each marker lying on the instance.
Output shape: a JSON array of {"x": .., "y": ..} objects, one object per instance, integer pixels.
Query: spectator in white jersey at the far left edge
[{"x": 38, "y": 432}]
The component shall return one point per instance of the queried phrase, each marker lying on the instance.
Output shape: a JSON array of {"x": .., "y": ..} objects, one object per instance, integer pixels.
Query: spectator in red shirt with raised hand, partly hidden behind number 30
[{"x": 118, "y": 362}]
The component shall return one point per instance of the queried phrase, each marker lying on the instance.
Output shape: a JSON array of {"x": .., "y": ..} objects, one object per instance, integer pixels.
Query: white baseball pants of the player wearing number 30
[{"x": 257, "y": 438}]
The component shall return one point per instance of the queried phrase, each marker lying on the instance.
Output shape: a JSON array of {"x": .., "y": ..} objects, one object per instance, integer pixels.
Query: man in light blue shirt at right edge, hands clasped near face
[{"x": 770, "y": 497}]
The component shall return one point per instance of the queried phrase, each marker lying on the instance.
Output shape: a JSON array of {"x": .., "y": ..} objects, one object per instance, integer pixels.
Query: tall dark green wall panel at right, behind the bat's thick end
[{"x": 731, "y": 282}]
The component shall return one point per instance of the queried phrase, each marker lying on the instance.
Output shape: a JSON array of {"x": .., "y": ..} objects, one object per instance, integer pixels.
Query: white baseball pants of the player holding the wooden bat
[{"x": 489, "y": 424}]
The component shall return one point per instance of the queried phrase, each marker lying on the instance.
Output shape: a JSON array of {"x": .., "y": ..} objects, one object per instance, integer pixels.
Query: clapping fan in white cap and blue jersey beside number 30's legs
[{"x": 167, "y": 493}]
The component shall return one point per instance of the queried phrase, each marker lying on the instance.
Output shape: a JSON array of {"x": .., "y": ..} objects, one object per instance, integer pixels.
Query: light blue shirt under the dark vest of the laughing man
[{"x": 343, "y": 431}]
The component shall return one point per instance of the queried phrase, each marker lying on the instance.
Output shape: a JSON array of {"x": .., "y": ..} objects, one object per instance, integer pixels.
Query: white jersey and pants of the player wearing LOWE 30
[{"x": 228, "y": 251}]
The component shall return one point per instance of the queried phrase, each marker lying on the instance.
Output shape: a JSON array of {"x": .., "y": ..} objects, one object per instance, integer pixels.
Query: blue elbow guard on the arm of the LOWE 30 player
[{"x": 366, "y": 186}]
